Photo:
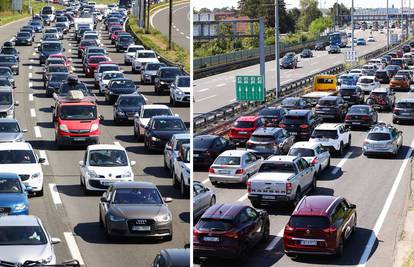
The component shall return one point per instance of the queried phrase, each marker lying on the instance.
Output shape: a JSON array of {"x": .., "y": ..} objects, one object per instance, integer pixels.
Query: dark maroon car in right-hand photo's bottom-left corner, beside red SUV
[{"x": 229, "y": 231}]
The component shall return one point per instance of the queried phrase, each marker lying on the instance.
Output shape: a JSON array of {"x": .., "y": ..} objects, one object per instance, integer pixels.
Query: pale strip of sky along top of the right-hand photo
[{"x": 197, "y": 4}]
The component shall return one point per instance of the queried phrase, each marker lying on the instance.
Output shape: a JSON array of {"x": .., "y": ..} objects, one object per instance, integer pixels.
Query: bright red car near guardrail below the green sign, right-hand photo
[{"x": 244, "y": 127}]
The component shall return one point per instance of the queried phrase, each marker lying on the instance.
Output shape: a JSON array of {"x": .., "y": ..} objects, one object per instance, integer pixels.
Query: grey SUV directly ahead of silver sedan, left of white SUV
[{"x": 270, "y": 141}]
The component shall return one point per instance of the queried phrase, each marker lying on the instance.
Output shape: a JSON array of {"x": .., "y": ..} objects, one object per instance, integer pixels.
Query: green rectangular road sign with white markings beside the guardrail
[{"x": 250, "y": 88}]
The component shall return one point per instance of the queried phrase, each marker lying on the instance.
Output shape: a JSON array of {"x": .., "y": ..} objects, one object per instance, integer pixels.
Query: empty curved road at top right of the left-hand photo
[{"x": 180, "y": 25}]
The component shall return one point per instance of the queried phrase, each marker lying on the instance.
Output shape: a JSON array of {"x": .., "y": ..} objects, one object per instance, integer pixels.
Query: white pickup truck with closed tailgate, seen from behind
[{"x": 281, "y": 179}]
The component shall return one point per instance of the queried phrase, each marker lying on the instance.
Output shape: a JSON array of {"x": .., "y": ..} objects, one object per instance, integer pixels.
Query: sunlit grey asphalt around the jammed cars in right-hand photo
[{"x": 365, "y": 182}]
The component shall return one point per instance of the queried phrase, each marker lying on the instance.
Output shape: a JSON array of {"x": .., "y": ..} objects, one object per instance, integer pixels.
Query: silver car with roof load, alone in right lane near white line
[{"x": 383, "y": 139}]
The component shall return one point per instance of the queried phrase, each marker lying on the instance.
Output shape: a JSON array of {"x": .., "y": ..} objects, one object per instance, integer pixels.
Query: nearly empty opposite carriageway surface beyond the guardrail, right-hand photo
[{"x": 218, "y": 90}]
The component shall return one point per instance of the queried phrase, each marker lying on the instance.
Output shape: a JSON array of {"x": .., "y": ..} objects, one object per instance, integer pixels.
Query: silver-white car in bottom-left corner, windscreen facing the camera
[{"x": 24, "y": 238}]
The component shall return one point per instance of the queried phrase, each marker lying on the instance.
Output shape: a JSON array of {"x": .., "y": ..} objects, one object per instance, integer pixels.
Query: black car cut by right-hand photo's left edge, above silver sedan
[{"x": 206, "y": 148}]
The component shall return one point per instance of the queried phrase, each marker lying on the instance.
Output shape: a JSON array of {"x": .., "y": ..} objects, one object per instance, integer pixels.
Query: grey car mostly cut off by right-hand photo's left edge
[{"x": 203, "y": 198}]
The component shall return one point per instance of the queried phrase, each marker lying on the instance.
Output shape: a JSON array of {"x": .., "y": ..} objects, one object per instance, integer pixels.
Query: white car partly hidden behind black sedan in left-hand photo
[{"x": 146, "y": 113}]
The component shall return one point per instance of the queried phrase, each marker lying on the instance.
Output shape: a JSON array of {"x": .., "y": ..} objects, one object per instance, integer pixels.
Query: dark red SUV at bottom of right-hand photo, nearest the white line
[{"x": 319, "y": 225}]
